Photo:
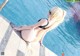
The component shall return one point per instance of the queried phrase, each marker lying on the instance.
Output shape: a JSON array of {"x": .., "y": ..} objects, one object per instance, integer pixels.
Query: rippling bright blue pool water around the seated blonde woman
[{"x": 65, "y": 38}]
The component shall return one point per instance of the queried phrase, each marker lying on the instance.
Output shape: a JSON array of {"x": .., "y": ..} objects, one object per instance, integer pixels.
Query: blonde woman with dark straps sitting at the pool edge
[{"x": 36, "y": 32}]
